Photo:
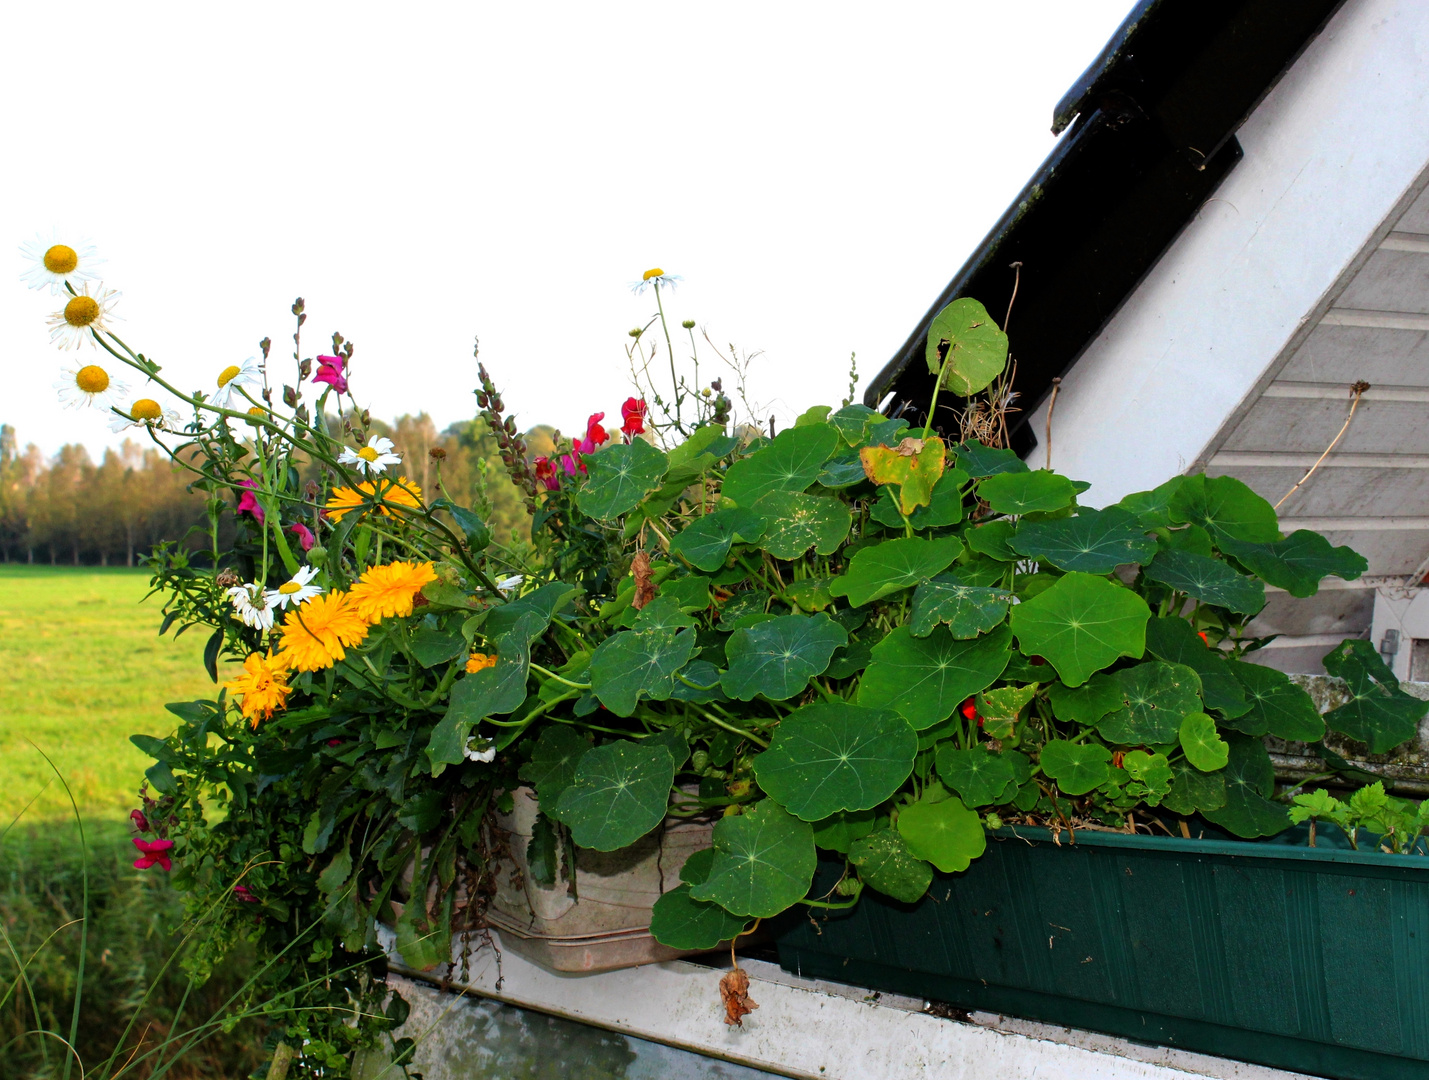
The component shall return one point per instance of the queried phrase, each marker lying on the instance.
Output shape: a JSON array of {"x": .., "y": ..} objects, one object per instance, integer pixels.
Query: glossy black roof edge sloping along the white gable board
[{"x": 1152, "y": 136}]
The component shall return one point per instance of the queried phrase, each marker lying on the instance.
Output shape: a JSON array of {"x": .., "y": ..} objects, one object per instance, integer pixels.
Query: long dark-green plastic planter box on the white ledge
[{"x": 1305, "y": 959}]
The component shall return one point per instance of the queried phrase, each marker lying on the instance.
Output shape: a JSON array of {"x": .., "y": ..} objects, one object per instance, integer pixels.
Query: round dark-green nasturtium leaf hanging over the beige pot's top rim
[{"x": 621, "y": 792}]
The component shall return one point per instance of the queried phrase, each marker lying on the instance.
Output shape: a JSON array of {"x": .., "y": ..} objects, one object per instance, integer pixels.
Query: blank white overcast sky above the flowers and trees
[{"x": 427, "y": 174}]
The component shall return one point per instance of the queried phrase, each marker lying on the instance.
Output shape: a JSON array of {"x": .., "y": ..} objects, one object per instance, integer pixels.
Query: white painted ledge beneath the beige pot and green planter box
[{"x": 820, "y": 1031}]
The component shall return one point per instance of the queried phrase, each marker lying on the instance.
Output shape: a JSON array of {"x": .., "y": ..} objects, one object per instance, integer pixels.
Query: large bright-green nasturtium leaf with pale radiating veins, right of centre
[{"x": 1082, "y": 625}]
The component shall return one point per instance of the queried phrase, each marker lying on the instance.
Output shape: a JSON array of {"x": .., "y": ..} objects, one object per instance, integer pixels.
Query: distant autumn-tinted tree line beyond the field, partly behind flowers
[{"x": 72, "y": 509}]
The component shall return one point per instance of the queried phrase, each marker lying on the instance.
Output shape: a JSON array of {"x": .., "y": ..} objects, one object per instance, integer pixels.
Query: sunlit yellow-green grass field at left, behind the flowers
[{"x": 82, "y": 668}]
